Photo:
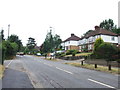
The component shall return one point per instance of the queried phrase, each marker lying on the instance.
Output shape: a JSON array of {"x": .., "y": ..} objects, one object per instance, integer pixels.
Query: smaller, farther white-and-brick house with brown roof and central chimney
[{"x": 71, "y": 43}]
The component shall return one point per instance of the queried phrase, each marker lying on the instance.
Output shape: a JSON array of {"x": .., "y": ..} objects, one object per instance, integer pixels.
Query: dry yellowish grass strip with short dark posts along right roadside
[{"x": 92, "y": 67}]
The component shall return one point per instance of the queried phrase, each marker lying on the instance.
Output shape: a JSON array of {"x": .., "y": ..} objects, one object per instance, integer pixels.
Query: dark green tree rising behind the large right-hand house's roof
[{"x": 107, "y": 24}]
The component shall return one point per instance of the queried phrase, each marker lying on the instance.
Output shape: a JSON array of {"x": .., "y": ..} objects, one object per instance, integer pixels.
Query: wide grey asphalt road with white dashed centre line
[{"x": 51, "y": 74}]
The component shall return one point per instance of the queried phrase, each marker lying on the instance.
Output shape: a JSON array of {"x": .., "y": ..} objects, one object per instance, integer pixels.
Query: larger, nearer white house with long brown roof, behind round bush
[{"x": 87, "y": 42}]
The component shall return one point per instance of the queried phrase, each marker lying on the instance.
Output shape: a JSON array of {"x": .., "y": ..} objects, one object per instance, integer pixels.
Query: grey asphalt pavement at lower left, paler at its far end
[{"x": 15, "y": 76}]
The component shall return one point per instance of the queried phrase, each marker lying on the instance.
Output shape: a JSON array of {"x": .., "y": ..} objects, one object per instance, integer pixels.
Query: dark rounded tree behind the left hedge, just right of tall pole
[{"x": 15, "y": 39}]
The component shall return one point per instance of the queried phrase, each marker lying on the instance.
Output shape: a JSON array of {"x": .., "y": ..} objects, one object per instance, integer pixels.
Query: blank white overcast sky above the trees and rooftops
[{"x": 32, "y": 18}]
